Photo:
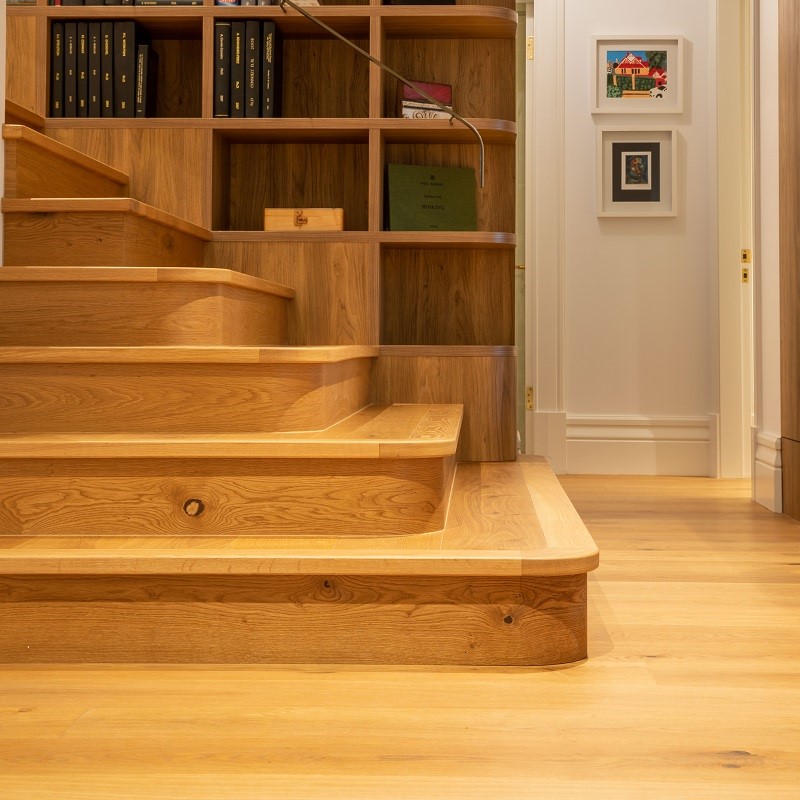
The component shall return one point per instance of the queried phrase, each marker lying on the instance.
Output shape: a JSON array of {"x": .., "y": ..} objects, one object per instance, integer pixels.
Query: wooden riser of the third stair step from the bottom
[{"x": 180, "y": 398}]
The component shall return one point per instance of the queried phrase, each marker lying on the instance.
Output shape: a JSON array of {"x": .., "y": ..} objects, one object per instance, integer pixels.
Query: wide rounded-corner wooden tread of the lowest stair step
[{"x": 542, "y": 535}]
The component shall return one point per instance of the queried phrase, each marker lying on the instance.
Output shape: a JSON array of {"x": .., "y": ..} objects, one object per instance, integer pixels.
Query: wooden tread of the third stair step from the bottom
[{"x": 173, "y": 354}]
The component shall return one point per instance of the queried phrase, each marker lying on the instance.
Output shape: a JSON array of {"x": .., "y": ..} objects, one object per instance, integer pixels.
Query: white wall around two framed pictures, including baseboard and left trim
[{"x": 639, "y": 353}]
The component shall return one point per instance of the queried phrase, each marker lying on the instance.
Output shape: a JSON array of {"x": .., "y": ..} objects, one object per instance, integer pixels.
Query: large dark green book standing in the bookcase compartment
[{"x": 422, "y": 198}]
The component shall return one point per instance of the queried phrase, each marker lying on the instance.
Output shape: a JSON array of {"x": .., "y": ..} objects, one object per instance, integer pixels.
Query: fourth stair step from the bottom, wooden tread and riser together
[{"x": 139, "y": 306}]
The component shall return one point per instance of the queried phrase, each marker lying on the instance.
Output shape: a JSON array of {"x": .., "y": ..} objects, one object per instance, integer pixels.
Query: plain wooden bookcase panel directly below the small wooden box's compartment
[{"x": 336, "y": 285}]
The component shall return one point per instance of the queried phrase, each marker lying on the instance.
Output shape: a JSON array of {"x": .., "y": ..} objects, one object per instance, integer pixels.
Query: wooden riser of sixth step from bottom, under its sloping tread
[{"x": 32, "y": 171}]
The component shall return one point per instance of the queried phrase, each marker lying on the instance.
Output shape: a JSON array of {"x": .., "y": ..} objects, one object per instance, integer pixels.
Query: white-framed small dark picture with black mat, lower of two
[{"x": 637, "y": 172}]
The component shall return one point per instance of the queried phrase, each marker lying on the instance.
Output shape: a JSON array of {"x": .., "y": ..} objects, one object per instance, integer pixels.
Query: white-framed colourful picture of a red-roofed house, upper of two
[{"x": 638, "y": 74}]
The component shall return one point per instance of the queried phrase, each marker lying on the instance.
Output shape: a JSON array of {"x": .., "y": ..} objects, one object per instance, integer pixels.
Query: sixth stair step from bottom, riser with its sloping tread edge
[{"x": 35, "y": 166}]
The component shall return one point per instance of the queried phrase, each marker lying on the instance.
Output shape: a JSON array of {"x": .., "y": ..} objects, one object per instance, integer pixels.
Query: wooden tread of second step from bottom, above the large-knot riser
[{"x": 398, "y": 431}]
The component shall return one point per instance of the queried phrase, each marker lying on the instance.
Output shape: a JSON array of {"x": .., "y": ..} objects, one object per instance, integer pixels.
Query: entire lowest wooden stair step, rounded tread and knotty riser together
[{"x": 502, "y": 583}]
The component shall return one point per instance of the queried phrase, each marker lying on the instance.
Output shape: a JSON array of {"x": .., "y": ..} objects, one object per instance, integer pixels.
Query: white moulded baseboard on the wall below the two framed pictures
[{"x": 640, "y": 445}]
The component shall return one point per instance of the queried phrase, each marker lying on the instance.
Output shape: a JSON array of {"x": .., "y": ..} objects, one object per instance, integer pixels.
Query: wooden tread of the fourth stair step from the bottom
[{"x": 214, "y": 275}]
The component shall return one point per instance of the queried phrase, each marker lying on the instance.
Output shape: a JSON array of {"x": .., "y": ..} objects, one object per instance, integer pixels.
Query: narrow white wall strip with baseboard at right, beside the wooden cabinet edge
[{"x": 767, "y": 466}]
